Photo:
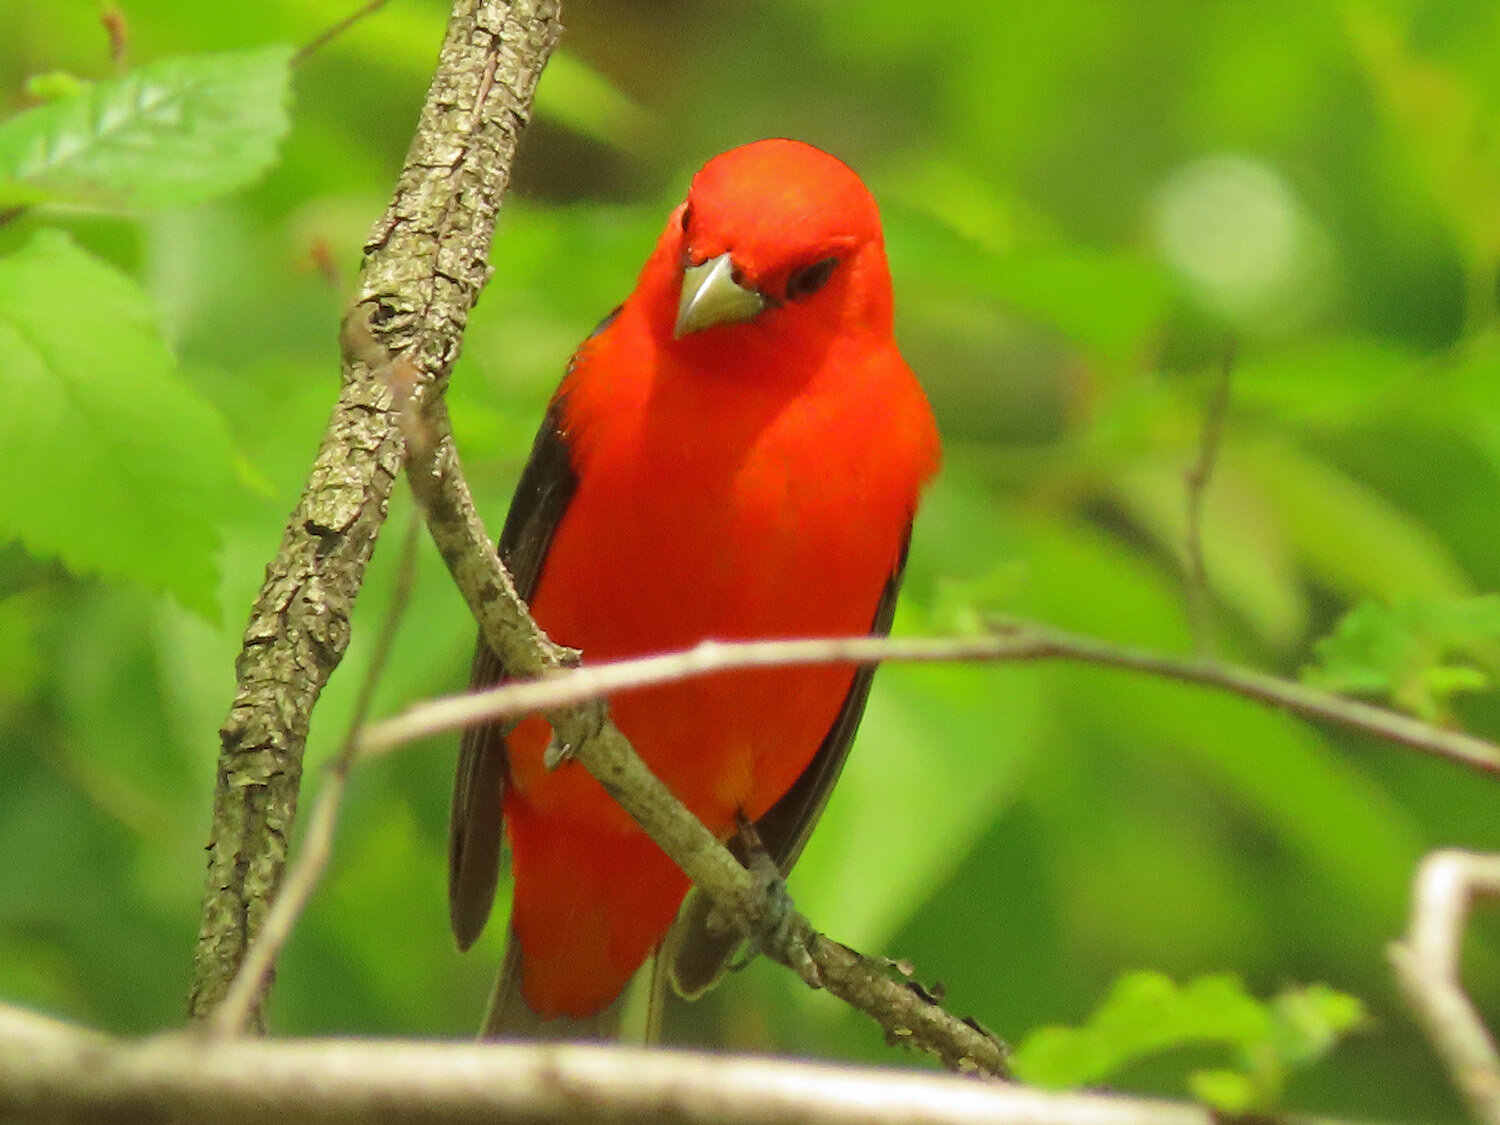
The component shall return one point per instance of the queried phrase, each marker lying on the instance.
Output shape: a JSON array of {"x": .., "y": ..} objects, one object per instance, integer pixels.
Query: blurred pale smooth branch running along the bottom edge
[{"x": 56, "y": 1073}]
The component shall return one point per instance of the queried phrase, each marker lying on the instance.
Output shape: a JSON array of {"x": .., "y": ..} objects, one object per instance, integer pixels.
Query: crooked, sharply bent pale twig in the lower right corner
[{"x": 1427, "y": 965}]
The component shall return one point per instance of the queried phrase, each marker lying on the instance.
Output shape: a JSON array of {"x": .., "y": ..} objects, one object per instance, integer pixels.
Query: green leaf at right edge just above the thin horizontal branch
[{"x": 1418, "y": 653}]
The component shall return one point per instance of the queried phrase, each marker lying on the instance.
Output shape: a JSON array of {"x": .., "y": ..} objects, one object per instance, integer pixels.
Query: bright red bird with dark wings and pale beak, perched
[{"x": 736, "y": 454}]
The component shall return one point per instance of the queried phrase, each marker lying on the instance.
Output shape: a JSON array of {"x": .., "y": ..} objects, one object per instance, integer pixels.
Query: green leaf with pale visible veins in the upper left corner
[{"x": 175, "y": 133}]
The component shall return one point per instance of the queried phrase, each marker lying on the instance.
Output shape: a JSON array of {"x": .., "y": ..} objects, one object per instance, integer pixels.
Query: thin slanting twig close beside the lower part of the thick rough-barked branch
[{"x": 302, "y": 878}]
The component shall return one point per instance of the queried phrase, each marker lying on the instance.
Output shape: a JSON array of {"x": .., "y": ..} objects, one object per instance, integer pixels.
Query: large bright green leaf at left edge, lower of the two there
[{"x": 110, "y": 460}]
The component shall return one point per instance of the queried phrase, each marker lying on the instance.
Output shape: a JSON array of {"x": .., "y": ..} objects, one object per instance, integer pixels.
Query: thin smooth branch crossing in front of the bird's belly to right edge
[{"x": 1015, "y": 643}]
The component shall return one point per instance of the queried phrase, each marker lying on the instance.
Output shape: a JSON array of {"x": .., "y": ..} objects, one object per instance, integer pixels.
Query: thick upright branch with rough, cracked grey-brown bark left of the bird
[{"x": 424, "y": 269}]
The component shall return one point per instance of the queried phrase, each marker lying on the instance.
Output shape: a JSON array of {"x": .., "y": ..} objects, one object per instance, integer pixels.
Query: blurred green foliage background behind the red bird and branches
[{"x": 1084, "y": 202}]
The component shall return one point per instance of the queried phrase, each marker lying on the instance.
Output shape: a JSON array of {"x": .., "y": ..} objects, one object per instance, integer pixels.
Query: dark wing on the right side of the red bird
[{"x": 698, "y": 953}]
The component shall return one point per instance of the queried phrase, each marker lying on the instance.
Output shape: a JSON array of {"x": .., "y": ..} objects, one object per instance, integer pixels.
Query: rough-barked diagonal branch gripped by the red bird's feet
[{"x": 584, "y": 731}]
